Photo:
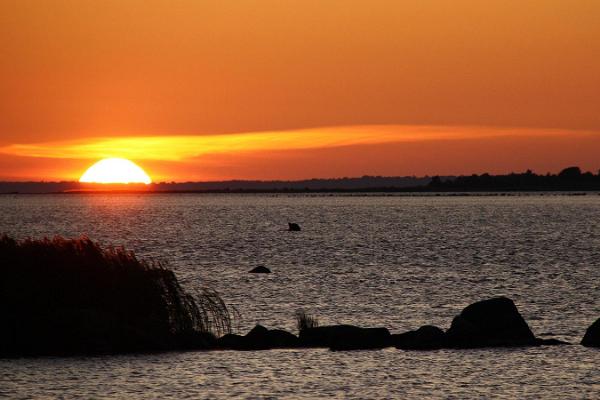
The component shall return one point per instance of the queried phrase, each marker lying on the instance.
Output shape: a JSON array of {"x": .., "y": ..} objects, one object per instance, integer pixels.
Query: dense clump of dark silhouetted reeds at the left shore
[{"x": 71, "y": 296}]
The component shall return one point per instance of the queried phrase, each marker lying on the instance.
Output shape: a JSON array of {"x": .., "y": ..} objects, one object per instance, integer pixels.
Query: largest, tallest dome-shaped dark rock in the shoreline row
[{"x": 490, "y": 323}]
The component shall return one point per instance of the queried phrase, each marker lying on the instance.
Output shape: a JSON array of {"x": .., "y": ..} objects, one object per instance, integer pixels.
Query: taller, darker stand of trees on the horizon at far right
[{"x": 568, "y": 179}]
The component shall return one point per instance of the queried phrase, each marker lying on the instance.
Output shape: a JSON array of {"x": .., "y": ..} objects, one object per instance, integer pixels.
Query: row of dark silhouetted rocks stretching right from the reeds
[{"x": 494, "y": 322}]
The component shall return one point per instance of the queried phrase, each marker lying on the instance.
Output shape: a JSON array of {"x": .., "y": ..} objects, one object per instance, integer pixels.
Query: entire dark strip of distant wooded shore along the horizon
[{"x": 569, "y": 179}]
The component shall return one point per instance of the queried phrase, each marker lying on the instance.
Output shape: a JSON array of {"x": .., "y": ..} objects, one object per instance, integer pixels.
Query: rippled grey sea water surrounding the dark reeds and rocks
[{"x": 393, "y": 261}]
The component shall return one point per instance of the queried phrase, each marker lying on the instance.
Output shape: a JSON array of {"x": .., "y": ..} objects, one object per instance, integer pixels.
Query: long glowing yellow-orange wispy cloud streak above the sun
[{"x": 185, "y": 147}]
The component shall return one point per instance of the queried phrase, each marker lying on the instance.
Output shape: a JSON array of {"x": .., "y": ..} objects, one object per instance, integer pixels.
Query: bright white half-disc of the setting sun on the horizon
[{"x": 115, "y": 170}]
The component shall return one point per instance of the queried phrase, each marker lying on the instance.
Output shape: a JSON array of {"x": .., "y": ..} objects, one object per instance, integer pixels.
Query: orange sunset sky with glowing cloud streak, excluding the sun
[{"x": 208, "y": 90}]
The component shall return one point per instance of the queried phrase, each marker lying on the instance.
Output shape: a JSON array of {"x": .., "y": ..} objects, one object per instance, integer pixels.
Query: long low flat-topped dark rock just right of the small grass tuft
[{"x": 345, "y": 337}]
